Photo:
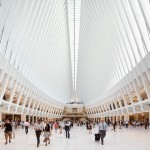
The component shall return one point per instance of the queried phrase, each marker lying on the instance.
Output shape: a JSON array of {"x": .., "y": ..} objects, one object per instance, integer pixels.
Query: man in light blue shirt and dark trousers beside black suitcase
[{"x": 102, "y": 130}]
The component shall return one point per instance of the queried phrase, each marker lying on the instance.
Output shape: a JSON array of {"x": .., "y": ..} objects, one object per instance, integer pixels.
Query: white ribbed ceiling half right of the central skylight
[{"x": 114, "y": 37}]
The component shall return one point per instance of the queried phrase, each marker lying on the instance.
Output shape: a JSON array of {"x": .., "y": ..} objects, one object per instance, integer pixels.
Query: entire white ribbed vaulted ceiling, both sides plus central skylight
[{"x": 88, "y": 47}]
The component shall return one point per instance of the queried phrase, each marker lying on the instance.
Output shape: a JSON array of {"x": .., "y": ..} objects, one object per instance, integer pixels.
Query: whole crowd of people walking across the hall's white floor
[{"x": 45, "y": 128}]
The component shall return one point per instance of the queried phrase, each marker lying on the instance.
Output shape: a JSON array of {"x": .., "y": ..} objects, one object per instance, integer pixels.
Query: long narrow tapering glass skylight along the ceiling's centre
[{"x": 74, "y": 25}]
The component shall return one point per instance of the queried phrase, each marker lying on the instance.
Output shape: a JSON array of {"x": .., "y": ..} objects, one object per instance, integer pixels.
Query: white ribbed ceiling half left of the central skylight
[{"x": 35, "y": 38}]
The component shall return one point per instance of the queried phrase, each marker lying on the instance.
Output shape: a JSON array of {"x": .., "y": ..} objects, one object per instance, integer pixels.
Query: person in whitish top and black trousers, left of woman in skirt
[{"x": 38, "y": 127}]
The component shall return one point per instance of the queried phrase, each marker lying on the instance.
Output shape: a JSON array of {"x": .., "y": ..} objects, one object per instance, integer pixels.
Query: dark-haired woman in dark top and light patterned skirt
[{"x": 47, "y": 134}]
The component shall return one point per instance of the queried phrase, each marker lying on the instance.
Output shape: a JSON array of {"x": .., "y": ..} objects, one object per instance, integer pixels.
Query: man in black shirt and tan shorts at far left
[{"x": 8, "y": 131}]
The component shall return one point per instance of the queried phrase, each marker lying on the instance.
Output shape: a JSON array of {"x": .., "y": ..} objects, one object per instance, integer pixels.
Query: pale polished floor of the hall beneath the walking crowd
[{"x": 123, "y": 139}]
